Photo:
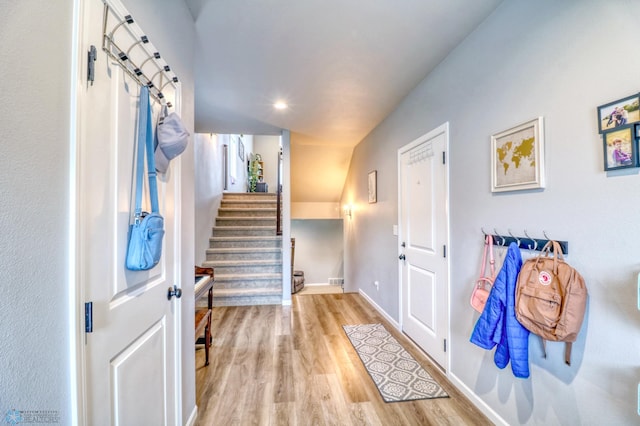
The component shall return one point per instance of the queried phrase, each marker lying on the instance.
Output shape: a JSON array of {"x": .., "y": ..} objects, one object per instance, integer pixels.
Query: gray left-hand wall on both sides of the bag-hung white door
[{"x": 36, "y": 359}]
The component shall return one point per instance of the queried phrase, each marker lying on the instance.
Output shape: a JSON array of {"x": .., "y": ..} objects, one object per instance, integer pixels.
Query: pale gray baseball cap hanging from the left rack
[{"x": 172, "y": 139}]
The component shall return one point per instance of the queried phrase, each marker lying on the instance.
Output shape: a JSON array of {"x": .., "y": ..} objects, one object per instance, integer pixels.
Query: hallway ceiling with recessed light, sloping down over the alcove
[{"x": 341, "y": 65}]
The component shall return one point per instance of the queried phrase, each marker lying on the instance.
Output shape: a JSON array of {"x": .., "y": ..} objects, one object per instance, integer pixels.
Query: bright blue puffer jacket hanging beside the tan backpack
[{"x": 498, "y": 325}]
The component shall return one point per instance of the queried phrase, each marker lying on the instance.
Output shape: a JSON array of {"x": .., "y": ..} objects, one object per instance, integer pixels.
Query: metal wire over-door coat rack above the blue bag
[{"x": 125, "y": 44}]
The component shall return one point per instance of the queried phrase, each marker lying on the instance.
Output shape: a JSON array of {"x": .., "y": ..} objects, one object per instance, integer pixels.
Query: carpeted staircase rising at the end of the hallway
[{"x": 245, "y": 251}]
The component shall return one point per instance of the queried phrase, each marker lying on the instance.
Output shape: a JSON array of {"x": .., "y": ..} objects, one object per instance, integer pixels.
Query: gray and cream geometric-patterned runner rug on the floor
[{"x": 394, "y": 371}]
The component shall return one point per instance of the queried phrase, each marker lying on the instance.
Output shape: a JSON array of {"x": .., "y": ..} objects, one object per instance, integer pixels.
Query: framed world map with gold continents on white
[{"x": 517, "y": 157}]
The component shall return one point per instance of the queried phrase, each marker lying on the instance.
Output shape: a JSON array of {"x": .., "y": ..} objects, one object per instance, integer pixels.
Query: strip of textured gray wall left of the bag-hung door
[{"x": 34, "y": 187}]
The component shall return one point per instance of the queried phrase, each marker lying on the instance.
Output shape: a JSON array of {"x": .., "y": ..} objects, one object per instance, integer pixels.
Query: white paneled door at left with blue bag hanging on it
[{"x": 131, "y": 374}]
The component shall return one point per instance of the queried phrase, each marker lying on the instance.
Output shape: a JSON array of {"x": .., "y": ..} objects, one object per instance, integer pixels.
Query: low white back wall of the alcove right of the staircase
[{"x": 319, "y": 249}]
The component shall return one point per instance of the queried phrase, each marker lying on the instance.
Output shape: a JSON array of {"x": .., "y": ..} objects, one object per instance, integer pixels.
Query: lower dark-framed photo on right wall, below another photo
[{"x": 620, "y": 148}]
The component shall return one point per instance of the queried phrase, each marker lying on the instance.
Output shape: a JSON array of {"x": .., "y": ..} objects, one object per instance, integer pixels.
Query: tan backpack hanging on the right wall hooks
[{"x": 551, "y": 298}]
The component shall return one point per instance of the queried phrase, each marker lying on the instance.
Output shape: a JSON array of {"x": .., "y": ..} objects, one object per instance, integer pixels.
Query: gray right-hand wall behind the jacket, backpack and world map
[{"x": 559, "y": 60}]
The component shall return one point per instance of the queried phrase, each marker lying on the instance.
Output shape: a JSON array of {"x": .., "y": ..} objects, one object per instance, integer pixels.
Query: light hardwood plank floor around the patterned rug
[{"x": 275, "y": 365}]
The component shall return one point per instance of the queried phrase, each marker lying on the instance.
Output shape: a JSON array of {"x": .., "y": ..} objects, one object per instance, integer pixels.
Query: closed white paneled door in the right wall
[{"x": 423, "y": 238}]
